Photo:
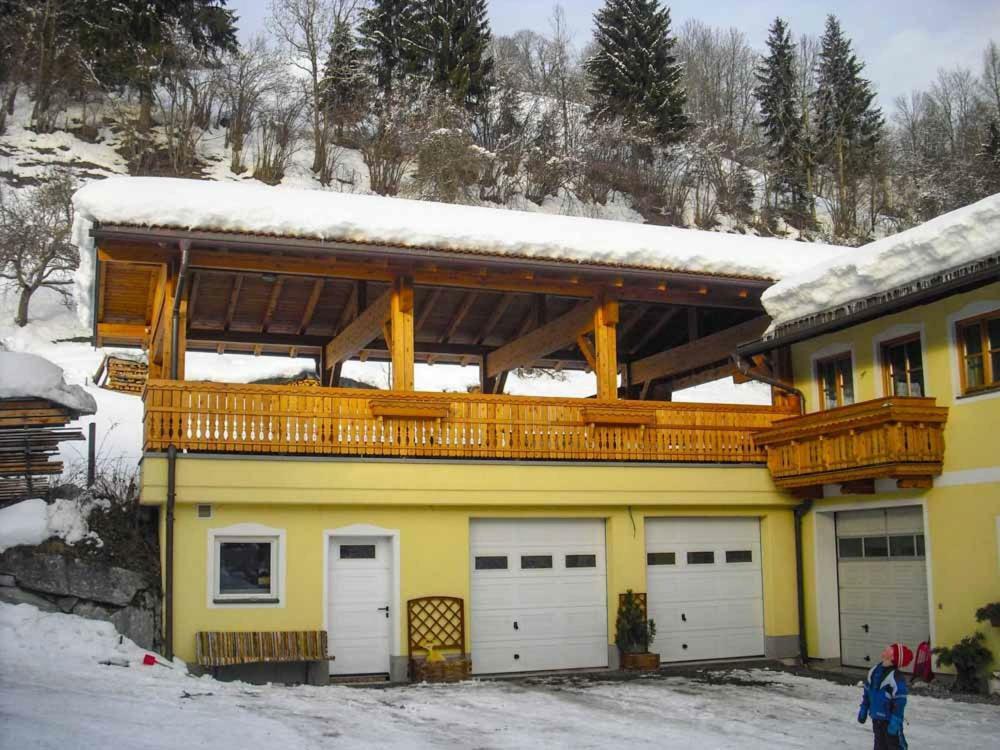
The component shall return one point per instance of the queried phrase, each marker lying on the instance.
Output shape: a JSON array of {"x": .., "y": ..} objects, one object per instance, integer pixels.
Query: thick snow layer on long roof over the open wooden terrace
[{"x": 259, "y": 209}]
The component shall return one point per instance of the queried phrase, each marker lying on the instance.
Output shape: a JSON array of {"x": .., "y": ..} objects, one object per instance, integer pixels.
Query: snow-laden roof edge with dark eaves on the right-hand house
[{"x": 958, "y": 249}]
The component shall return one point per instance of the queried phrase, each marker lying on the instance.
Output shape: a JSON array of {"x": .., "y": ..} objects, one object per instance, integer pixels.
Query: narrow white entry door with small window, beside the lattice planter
[{"x": 358, "y": 604}]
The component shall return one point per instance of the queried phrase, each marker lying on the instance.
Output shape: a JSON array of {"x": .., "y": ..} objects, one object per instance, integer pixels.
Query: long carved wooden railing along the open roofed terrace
[{"x": 260, "y": 419}]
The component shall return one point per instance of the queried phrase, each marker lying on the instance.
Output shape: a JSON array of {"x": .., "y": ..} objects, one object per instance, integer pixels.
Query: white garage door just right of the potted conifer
[{"x": 703, "y": 585}]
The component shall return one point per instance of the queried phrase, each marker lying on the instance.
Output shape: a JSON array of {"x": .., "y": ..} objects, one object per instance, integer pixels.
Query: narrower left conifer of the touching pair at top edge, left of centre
[{"x": 390, "y": 36}]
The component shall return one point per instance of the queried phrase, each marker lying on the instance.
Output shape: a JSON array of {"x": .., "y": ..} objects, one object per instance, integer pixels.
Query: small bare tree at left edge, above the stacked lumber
[{"x": 35, "y": 247}]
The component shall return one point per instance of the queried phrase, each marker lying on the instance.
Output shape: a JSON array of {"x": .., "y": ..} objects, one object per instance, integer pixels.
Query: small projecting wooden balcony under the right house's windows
[{"x": 897, "y": 438}]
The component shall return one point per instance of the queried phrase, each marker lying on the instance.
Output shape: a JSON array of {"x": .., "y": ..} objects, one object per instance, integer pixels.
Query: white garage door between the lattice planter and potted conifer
[{"x": 539, "y": 595}]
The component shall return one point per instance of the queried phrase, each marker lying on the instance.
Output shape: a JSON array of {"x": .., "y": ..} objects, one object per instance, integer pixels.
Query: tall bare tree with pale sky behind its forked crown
[{"x": 304, "y": 29}]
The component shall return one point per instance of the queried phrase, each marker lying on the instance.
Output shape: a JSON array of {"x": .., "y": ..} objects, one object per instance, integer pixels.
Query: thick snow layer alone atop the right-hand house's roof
[{"x": 951, "y": 240}]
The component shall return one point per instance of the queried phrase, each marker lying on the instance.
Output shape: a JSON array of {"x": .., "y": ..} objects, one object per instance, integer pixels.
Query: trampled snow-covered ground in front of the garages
[{"x": 54, "y": 693}]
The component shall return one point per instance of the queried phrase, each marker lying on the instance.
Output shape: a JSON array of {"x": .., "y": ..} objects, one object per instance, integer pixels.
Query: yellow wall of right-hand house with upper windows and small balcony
[{"x": 963, "y": 508}]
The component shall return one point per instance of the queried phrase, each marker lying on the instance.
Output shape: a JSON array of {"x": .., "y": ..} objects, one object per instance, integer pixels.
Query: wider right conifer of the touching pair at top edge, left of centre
[{"x": 456, "y": 39}]
